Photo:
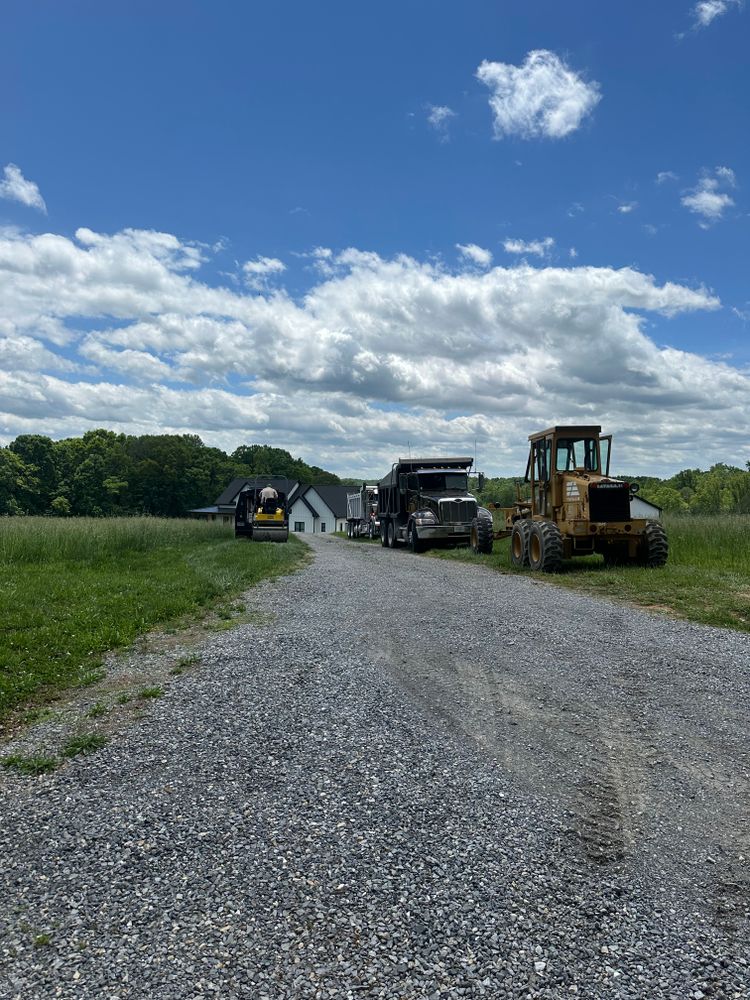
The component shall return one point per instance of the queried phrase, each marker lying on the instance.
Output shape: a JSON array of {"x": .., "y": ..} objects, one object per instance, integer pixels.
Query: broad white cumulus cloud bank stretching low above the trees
[{"x": 378, "y": 353}]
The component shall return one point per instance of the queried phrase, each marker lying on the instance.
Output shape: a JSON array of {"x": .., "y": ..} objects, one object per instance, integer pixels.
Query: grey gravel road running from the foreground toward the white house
[{"x": 420, "y": 779}]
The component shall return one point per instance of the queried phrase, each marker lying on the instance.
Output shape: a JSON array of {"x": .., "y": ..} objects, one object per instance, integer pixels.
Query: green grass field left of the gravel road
[{"x": 71, "y": 589}]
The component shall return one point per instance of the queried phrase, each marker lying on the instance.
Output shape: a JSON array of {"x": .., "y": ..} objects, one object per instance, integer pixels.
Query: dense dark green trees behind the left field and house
[{"x": 103, "y": 473}]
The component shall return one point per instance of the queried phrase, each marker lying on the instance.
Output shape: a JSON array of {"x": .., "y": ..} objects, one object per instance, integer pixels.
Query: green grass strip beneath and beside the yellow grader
[{"x": 706, "y": 579}]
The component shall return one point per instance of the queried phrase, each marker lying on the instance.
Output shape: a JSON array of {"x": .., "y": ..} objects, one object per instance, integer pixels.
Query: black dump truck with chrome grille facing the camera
[{"x": 424, "y": 502}]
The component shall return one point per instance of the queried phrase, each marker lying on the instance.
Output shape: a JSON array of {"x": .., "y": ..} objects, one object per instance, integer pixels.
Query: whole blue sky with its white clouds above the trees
[{"x": 344, "y": 229}]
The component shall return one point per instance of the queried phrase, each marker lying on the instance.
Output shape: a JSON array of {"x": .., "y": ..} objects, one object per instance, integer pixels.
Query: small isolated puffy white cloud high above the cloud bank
[{"x": 542, "y": 97}]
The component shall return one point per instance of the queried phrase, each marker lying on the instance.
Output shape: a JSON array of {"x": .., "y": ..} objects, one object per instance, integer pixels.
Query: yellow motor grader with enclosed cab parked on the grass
[{"x": 569, "y": 506}]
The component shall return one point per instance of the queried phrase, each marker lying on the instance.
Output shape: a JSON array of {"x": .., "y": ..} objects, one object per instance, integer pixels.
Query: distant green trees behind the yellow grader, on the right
[{"x": 722, "y": 489}]
